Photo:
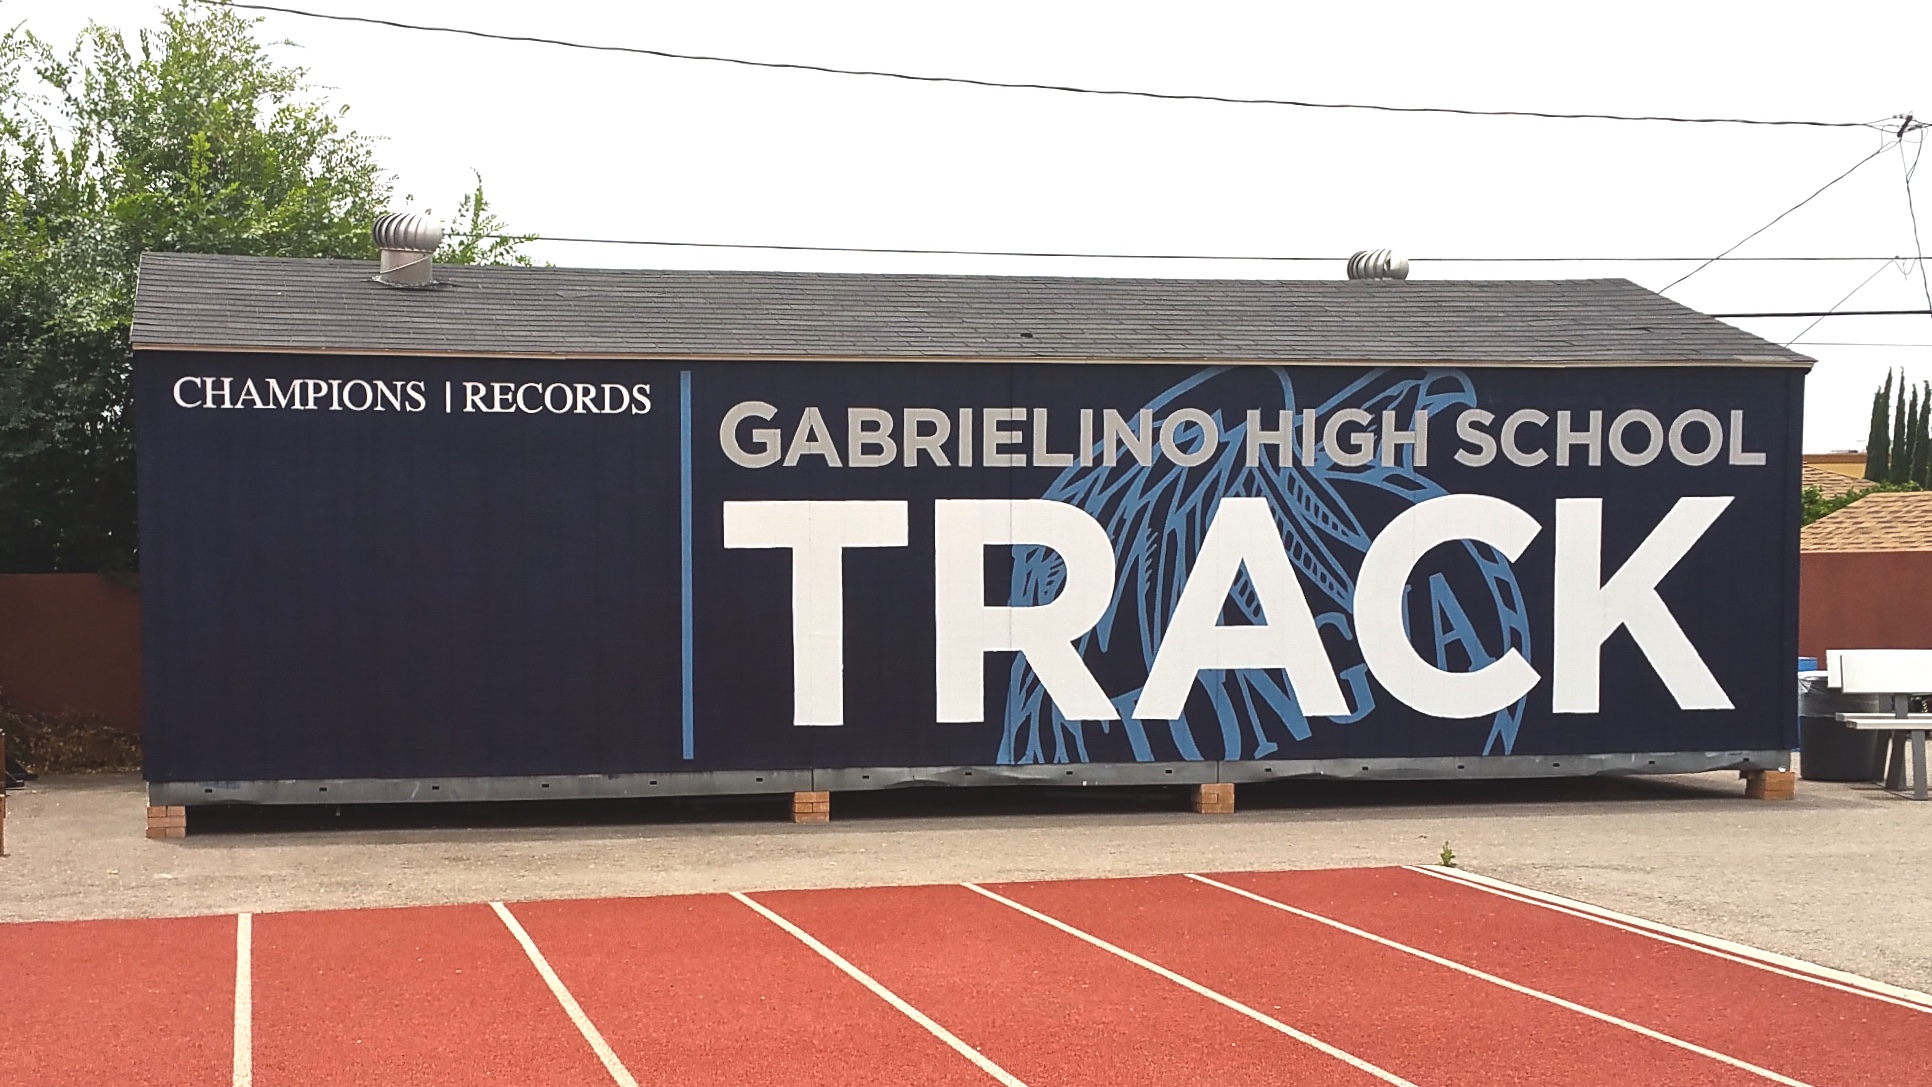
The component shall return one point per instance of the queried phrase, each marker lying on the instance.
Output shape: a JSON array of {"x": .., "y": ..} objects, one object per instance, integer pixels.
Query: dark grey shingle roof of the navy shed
[{"x": 333, "y": 306}]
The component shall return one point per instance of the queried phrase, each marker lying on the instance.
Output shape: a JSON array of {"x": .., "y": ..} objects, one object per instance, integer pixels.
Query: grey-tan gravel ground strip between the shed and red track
[{"x": 1842, "y": 876}]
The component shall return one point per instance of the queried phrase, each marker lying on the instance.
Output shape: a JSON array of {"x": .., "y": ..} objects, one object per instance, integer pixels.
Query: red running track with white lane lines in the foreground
[{"x": 1322, "y": 978}]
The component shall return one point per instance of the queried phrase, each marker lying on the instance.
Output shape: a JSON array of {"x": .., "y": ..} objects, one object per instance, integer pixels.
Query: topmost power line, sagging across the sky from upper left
[{"x": 1019, "y": 86}]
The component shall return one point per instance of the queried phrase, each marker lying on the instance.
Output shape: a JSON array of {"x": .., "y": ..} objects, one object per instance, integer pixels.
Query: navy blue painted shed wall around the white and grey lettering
[{"x": 339, "y": 594}]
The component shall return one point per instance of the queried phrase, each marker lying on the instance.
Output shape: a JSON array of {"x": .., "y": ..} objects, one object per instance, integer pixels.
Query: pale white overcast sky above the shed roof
[{"x": 579, "y": 144}]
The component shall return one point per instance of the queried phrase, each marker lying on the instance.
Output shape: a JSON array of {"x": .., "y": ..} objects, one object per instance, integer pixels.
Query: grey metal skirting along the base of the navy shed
[{"x": 724, "y": 783}]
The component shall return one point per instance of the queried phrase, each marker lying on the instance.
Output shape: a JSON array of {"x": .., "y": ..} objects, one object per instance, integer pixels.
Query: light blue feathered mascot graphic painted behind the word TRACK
[{"x": 1158, "y": 516}]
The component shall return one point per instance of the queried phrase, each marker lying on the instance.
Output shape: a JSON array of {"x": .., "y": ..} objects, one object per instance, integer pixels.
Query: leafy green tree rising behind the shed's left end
[{"x": 190, "y": 140}]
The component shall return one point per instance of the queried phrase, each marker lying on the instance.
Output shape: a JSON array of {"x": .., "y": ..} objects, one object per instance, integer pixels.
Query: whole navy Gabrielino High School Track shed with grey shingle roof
[{"x": 555, "y": 532}]
